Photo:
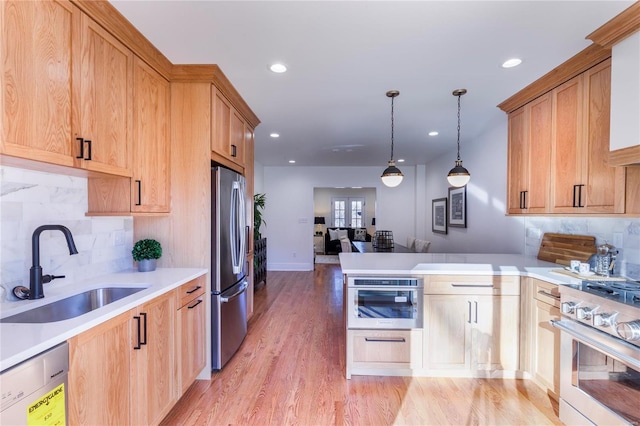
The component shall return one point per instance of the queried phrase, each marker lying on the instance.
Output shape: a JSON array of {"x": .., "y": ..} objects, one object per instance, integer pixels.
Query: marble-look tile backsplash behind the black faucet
[{"x": 29, "y": 199}]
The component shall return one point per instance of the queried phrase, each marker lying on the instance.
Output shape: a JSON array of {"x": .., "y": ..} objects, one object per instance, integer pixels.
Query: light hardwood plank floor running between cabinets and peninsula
[{"x": 290, "y": 370}]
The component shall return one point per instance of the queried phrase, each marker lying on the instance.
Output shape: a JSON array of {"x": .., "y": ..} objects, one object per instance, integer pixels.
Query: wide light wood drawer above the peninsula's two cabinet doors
[{"x": 472, "y": 284}]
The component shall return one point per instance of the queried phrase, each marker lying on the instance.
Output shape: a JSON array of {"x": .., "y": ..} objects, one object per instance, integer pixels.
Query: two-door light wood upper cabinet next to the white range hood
[{"x": 583, "y": 181}]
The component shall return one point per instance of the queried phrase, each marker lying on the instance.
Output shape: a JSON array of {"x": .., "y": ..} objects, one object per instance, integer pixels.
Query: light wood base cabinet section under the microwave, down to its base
[{"x": 383, "y": 352}]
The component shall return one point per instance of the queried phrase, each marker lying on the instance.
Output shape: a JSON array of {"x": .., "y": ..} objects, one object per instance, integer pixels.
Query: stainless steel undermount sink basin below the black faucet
[{"x": 73, "y": 306}]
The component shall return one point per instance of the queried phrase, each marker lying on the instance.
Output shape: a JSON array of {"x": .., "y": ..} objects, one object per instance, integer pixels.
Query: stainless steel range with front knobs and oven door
[{"x": 600, "y": 353}]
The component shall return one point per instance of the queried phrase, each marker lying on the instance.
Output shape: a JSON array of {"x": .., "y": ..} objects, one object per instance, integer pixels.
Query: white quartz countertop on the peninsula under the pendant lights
[{"x": 452, "y": 264}]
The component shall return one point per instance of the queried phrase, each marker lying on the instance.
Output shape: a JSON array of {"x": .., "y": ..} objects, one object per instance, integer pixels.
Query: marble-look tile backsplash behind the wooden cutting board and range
[{"x": 609, "y": 230}]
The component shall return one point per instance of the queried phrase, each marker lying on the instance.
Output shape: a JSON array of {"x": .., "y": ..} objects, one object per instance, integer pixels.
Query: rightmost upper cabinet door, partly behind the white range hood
[{"x": 605, "y": 185}]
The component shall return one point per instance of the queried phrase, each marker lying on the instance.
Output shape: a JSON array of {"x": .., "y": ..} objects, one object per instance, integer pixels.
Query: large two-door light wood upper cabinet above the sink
[{"x": 67, "y": 88}]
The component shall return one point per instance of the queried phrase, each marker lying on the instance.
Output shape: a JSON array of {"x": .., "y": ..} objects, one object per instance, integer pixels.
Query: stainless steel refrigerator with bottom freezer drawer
[{"x": 229, "y": 267}]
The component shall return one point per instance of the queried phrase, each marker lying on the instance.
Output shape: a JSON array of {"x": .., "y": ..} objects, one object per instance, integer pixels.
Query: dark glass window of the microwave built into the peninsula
[{"x": 386, "y": 304}]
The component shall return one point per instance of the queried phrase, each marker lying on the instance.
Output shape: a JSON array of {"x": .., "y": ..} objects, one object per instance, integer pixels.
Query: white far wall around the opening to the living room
[{"x": 289, "y": 209}]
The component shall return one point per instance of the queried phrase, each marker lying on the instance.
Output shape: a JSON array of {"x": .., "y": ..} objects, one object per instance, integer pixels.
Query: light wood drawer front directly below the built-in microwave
[{"x": 386, "y": 346}]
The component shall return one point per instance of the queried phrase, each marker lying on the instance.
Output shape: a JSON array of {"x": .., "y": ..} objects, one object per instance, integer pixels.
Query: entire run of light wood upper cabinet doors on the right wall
[{"x": 559, "y": 152}]
